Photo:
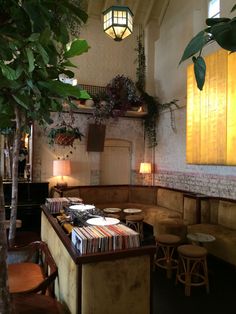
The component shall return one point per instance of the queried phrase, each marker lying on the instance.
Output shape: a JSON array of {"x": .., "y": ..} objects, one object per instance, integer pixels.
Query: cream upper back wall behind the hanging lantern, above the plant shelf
[{"x": 106, "y": 58}]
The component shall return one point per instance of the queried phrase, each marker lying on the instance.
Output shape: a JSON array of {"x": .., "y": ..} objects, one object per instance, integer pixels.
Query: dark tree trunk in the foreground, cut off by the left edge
[{"x": 5, "y": 307}]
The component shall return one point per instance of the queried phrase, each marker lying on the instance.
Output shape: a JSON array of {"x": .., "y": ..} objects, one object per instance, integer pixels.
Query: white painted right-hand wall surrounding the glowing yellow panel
[{"x": 183, "y": 19}]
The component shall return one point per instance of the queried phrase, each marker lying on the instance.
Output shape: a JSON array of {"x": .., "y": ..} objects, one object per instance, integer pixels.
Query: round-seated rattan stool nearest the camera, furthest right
[{"x": 192, "y": 267}]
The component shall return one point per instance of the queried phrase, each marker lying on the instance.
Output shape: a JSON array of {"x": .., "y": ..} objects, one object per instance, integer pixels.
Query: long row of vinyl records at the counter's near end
[{"x": 93, "y": 239}]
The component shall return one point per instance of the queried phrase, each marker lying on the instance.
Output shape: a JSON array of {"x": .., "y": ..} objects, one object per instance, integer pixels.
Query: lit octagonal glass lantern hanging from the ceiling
[{"x": 118, "y": 22}]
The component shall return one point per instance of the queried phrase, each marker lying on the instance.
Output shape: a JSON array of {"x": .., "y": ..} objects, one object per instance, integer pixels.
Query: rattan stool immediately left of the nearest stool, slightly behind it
[{"x": 166, "y": 245}]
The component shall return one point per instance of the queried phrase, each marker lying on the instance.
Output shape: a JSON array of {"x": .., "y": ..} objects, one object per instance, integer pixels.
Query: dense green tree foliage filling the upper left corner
[{"x": 33, "y": 52}]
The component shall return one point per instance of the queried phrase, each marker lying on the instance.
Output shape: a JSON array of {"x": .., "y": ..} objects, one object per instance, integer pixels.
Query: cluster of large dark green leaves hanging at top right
[{"x": 220, "y": 30}]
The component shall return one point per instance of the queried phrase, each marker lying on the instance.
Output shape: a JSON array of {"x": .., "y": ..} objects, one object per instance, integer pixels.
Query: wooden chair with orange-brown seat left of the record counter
[{"x": 31, "y": 268}]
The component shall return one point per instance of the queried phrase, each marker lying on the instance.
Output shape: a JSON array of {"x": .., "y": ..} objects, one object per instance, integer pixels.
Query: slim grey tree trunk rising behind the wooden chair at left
[{"x": 14, "y": 194}]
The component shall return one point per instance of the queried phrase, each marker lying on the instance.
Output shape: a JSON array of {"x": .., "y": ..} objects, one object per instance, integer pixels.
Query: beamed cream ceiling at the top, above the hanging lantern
[{"x": 144, "y": 11}]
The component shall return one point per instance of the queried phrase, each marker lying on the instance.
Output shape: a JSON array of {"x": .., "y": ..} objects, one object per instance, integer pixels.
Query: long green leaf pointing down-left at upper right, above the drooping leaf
[{"x": 195, "y": 45}]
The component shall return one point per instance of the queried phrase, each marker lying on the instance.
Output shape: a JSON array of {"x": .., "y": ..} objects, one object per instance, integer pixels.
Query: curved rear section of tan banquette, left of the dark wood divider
[{"x": 157, "y": 203}]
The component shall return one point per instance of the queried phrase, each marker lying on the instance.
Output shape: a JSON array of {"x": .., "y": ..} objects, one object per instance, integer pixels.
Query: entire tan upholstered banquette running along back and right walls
[{"x": 209, "y": 215}]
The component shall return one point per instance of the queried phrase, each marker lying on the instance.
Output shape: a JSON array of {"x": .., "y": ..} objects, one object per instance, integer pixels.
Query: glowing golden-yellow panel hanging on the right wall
[{"x": 211, "y": 113}]
